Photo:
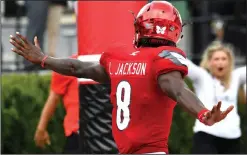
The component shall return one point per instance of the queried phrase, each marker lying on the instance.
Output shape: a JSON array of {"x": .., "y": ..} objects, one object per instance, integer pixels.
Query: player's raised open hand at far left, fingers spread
[{"x": 26, "y": 49}]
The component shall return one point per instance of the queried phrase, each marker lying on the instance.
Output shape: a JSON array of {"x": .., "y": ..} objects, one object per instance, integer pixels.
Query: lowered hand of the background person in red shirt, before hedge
[{"x": 42, "y": 138}]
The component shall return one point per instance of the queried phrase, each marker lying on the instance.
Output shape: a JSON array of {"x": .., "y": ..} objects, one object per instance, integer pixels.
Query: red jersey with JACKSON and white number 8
[{"x": 142, "y": 113}]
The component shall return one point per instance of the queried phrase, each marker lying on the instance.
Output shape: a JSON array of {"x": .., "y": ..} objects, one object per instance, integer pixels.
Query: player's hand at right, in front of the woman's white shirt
[{"x": 215, "y": 115}]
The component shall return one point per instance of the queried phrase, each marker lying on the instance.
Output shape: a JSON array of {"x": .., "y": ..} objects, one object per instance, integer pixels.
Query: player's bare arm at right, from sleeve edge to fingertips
[{"x": 173, "y": 85}]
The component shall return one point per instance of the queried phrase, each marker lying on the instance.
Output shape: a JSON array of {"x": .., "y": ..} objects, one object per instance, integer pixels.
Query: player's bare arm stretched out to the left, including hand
[{"x": 67, "y": 66}]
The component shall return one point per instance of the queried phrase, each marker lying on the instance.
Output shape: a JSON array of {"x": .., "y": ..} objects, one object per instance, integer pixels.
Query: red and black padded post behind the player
[{"x": 101, "y": 24}]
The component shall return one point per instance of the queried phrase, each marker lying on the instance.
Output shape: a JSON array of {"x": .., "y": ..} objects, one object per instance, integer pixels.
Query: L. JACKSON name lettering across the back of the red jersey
[{"x": 127, "y": 68}]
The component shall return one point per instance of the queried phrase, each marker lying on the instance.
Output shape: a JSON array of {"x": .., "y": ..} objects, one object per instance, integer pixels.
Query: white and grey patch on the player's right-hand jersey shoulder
[{"x": 175, "y": 57}]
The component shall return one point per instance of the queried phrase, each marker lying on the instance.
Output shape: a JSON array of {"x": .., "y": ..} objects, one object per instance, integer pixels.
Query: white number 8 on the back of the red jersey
[{"x": 123, "y": 89}]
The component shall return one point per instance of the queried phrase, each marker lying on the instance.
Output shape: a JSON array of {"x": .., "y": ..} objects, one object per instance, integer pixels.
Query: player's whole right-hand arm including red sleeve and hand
[{"x": 170, "y": 67}]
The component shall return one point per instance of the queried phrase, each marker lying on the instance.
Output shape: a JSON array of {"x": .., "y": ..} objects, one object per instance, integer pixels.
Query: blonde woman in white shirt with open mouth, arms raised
[{"x": 217, "y": 80}]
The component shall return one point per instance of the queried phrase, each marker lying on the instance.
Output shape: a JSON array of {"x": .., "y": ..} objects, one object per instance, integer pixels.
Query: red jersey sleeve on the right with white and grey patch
[{"x": 167, "y": 61}]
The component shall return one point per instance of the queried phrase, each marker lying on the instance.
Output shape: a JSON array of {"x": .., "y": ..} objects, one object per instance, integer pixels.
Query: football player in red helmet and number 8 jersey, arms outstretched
[{"x": 146, "y": 81}]
